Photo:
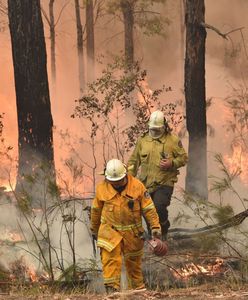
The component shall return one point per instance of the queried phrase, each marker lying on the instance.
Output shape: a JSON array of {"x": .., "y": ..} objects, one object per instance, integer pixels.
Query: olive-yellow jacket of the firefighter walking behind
[{"x": 147, "y": 155}]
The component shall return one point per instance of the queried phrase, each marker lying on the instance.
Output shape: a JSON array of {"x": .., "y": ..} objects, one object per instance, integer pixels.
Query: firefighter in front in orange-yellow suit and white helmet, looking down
[{"x": 116, "y": 221}]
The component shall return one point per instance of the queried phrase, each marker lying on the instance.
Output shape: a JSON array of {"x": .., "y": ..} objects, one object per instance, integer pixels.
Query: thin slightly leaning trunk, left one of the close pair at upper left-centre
[{"x": 80, "y": 50}]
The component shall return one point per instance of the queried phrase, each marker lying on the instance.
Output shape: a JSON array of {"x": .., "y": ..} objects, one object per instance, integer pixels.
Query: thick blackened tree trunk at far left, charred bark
[{"x": 35, "y": 124}]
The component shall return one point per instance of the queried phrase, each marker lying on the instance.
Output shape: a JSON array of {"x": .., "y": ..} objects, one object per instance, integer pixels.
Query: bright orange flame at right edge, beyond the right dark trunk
[{"x": 238, "y": 162}]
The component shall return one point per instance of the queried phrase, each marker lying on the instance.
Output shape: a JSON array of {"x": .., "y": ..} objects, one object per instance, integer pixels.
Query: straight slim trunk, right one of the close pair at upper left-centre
[{"x": 90, "y": 43}]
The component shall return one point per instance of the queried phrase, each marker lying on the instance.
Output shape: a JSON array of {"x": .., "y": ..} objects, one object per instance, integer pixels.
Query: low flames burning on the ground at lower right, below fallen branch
[{"x": 191, "y": 269}]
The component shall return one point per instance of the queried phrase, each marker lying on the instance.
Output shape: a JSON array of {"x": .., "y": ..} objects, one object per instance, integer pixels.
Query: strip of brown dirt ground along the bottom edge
[{"x": 199, "y": 293}]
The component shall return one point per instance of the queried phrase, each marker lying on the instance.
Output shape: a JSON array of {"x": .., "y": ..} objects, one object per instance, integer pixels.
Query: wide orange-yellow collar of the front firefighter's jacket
[{"x": 108, "y": 192}]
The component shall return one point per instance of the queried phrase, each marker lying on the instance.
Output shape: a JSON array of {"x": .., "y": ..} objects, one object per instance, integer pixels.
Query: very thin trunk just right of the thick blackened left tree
[{"x": 52, "y": 38}]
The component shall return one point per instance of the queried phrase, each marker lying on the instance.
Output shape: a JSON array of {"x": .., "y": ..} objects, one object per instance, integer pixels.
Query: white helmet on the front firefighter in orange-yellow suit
[{"x": 115, "y": 170}]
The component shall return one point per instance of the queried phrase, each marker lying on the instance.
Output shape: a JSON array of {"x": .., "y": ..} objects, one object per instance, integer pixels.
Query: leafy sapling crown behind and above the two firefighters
[{"x": 113, "y": 95}]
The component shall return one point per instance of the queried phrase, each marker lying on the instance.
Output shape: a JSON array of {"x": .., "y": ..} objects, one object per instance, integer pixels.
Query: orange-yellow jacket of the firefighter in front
[{"x": 112, "y": 219}]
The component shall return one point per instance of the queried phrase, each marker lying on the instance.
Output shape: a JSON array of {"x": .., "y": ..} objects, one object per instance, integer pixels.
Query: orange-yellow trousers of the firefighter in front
[{"x": 112, "y": 263}]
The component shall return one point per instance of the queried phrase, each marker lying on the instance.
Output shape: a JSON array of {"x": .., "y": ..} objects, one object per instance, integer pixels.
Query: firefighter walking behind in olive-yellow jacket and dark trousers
[{"x": 157, "y": 157}]
